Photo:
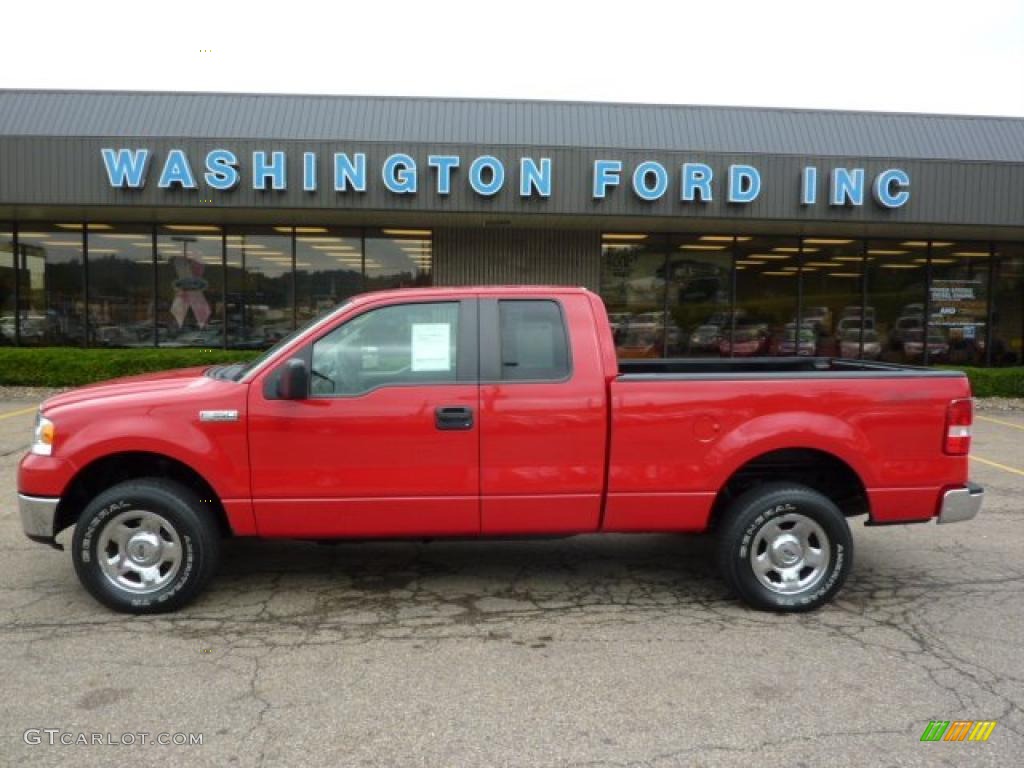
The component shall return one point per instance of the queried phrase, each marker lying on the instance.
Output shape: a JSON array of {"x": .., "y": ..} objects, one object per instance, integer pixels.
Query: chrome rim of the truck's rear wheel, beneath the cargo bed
[{"x": 790, "y": 554}]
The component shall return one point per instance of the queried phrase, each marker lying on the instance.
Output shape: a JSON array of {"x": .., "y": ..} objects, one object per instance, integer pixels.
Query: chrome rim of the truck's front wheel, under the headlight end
[{"x": 140, "y": 552}]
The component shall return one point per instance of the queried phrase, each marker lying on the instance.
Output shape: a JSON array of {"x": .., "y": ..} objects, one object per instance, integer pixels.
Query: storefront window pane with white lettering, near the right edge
[{"x": 959, "y": 304}]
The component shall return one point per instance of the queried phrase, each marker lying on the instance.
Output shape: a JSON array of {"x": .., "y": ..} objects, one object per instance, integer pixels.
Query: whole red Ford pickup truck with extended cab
[{"x": 493, "y": 412}]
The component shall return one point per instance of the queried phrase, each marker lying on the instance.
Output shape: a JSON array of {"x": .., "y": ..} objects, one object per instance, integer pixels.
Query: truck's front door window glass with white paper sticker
[{"x": 394, "y": 346}]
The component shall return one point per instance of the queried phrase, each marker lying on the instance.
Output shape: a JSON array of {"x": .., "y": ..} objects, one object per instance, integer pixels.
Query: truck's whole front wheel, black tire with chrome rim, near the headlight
[{"x": 177, "y": 542}]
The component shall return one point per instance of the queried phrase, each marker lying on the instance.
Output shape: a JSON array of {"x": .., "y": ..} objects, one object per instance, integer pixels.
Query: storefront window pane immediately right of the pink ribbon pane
[{"x": 260, "y": 288}]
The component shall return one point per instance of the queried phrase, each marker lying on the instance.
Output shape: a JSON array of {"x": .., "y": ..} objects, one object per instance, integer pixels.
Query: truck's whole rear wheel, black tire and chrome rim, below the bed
[{"x": 818, "y": 569}]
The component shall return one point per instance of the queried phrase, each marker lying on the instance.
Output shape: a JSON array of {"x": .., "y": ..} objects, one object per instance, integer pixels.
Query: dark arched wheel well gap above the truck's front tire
[{"x": 103, "y": 474}]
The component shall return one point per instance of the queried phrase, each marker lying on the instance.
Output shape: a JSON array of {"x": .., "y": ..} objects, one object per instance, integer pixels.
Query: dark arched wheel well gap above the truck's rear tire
[{"x": 826, "y": 474}]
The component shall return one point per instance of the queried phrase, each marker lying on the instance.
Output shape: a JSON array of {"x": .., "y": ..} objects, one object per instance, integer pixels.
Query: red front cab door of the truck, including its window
[{"x": 387, "y": 443}]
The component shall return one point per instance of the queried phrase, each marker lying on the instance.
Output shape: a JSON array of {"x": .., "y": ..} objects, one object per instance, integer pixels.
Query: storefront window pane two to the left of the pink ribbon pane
[{"x": 53, "y": 285}]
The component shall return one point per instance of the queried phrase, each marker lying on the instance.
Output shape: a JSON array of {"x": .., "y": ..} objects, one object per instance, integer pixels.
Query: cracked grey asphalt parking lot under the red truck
[{"x": 586, "y": 652}]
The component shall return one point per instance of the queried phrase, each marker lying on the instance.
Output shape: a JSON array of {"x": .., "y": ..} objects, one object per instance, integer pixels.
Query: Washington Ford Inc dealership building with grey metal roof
[{"x": 135, "y": 220}]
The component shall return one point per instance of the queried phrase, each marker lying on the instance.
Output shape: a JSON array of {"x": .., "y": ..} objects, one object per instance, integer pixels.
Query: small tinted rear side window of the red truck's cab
[{"x": 534, "y": 344}]
